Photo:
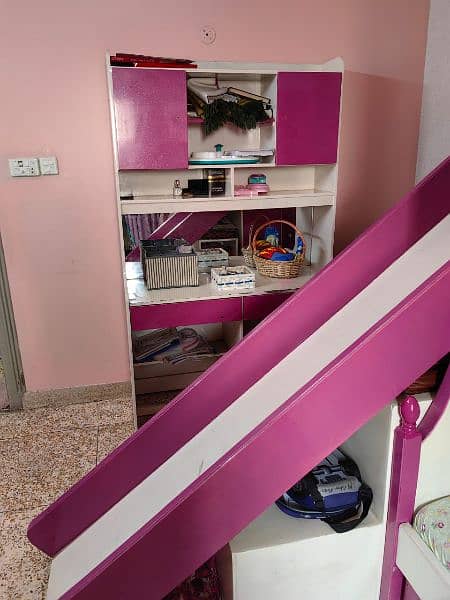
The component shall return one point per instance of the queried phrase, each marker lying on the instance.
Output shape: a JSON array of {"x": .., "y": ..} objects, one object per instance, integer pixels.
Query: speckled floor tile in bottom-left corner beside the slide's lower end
[{"x": 23, "y": 569}]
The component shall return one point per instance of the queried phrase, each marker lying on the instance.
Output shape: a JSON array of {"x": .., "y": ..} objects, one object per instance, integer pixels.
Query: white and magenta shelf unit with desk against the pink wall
[{"x": 153, "y": 139}]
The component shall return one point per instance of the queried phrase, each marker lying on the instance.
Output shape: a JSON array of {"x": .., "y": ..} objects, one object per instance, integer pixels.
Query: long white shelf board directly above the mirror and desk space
[{"x": 276, "y": 199}]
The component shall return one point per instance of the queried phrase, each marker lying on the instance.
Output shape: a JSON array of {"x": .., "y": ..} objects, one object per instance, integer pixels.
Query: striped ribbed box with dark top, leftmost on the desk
[{"x": 169, "y": 263}]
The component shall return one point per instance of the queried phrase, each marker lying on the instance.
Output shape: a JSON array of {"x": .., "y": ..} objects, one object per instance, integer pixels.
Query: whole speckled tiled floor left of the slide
[{"x": 43, "y": 452}]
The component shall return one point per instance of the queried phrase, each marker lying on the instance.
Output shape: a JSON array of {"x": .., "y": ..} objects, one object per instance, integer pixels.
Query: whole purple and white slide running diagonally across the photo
[{"x": 185, "y": 528}]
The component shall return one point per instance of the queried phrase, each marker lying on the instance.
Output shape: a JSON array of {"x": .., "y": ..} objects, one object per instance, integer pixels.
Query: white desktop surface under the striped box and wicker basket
[{"x": 139, "y": 295}]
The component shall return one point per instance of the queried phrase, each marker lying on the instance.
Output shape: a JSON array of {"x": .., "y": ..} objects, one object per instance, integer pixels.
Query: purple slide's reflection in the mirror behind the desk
[{"x": 189, "y": 226}]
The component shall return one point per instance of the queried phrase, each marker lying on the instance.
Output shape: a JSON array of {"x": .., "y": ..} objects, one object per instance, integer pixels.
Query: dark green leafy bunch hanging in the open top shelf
[{"x": 244, "y": 115}]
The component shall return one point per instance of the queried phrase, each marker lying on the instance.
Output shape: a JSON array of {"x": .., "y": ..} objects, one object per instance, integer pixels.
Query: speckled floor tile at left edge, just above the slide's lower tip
[{"x": 45, "y": 465}]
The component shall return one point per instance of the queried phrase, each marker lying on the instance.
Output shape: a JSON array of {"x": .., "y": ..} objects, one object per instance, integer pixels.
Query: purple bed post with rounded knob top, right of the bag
[{"x": 404, "y": 474}]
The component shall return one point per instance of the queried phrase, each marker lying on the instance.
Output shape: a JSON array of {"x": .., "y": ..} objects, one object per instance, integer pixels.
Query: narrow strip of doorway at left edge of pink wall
[{"x": 12, "y": 383}]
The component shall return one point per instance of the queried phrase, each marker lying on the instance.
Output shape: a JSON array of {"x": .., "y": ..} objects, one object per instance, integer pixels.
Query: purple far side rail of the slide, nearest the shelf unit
[{"x": 282, "y": 331}]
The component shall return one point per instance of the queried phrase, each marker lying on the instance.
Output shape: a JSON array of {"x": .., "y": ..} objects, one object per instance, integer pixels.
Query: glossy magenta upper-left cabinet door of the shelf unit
[{"x": 151, "y": 118}]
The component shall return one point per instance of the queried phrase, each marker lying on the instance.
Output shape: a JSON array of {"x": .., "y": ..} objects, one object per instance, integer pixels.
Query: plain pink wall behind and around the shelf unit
[{"x": 60, "y": 233}]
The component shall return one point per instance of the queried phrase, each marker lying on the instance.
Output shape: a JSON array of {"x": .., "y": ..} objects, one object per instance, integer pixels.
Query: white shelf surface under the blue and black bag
[{"x": 273, "y": 528}]
